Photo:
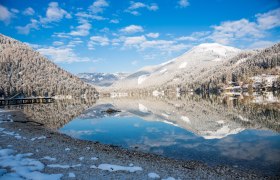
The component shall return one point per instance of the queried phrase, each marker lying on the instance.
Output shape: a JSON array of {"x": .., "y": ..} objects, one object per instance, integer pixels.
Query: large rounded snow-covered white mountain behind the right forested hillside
[{"x": 186, "y": 67}]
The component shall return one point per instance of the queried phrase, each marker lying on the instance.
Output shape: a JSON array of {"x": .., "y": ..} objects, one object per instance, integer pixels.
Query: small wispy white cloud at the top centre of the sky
[{"x": 135, "y": 6}]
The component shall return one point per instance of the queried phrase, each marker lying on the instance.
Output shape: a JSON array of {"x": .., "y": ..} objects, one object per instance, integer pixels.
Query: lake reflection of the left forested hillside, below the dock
[{"x": 57, "y": 114}]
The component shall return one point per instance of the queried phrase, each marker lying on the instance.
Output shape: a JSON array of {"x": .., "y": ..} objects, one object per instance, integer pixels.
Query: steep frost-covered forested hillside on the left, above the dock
[{"x": 25, "y": 71}]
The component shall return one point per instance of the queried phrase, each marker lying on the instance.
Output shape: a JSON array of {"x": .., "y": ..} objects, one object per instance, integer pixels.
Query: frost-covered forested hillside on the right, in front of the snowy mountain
[{"x": 244, "y": 69}]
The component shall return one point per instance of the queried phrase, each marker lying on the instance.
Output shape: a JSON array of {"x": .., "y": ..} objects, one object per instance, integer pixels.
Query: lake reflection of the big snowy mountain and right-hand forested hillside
[{"x": 207, "y": 118}]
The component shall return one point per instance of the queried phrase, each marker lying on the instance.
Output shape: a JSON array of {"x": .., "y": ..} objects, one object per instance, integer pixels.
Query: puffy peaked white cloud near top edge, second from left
[{"x": 55, "y": 13}]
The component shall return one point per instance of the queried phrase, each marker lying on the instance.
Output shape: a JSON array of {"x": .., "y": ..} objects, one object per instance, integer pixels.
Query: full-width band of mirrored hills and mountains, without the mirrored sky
[{"x": 212, "y": 118}]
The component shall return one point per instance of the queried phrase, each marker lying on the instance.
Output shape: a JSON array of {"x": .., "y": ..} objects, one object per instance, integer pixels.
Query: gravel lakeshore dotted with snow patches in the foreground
[{"x": 30, "y": 151}]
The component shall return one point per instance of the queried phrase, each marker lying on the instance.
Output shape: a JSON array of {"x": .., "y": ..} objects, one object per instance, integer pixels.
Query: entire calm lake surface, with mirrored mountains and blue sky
[{"x": 240, "y": 131}]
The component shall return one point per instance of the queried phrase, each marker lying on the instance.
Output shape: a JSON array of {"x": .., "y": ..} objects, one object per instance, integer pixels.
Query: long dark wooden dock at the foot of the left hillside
[{"x": 18, "y": 101}]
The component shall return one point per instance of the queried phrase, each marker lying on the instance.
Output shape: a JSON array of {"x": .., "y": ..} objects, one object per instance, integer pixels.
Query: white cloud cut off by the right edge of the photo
[{"x": 269, "y": 20}]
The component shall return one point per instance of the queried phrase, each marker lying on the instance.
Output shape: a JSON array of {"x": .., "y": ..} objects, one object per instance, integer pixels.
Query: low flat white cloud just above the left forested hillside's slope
[{"x": 62, "y": 55}]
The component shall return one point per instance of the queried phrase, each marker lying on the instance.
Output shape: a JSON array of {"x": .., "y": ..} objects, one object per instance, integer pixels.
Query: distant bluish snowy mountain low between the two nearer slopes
[{"x": 101, "y": 79}]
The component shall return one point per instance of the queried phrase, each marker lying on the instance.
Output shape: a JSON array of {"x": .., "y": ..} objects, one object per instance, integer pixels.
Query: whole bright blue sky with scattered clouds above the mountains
[{"x": 124, "y": 35}]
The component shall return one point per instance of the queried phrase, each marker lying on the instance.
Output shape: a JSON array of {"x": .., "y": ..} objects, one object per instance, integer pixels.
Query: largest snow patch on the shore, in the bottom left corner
[{"x": 21, "y": 167}]
